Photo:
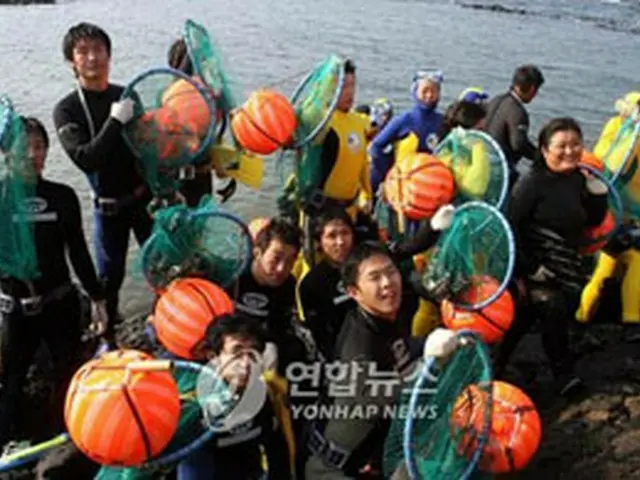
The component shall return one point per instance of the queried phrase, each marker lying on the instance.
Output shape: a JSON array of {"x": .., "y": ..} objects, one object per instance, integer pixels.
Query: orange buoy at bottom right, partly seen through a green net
[{"x": 515, "y": 432}]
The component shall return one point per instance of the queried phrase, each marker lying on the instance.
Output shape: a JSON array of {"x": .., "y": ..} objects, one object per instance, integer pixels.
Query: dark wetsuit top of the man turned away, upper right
[{"x": 507, "y": 121}]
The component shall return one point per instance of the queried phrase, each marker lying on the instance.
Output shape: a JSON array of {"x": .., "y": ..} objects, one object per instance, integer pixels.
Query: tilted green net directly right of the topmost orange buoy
[{"x": 316, "y": 98}]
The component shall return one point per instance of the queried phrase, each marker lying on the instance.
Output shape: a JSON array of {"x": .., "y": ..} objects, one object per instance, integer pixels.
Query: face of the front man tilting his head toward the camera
[{"x": 378, "y": 289}]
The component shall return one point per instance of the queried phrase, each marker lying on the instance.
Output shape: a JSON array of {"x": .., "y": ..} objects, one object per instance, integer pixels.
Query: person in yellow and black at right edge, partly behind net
[{"x": 623, "y": 249}]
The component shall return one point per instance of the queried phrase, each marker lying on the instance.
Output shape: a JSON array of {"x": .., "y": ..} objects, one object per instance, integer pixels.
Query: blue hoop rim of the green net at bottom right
[{"x": 466, "y": 339}]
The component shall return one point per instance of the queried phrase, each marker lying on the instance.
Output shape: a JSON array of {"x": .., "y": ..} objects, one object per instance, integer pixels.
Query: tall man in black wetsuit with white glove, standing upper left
[{"x": 89, "y": 124}]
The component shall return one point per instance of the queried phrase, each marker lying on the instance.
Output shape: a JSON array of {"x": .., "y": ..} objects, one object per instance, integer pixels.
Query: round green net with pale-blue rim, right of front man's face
[{"x": 473, "y": 259}]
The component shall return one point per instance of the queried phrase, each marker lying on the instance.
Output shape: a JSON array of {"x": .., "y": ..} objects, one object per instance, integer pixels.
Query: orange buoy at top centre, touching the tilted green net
[{"x": 265, "y": 123}]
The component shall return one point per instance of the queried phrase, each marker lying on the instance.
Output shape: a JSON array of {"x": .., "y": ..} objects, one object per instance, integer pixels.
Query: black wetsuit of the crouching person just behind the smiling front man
[{"x": 325, "y": 304}]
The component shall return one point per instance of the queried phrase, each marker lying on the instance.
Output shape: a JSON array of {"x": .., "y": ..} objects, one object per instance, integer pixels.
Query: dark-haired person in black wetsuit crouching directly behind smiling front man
[{"x": 324, "y": 302}]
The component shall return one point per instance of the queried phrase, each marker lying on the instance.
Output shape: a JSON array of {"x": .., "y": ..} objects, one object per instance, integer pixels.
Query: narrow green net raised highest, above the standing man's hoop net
[{"x": 208, "y": 65}]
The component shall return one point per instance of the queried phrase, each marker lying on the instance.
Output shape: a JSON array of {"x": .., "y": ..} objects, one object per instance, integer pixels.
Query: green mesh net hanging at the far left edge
[{"x": 18, "y": 256}]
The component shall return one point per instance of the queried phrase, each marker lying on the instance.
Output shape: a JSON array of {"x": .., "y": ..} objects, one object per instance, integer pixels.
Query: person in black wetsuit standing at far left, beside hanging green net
[{"x": 47, "y": 308}]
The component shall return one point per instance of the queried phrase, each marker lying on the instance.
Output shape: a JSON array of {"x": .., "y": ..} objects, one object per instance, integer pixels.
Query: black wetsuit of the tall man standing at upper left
[{"x": 120, "y": 193}]
